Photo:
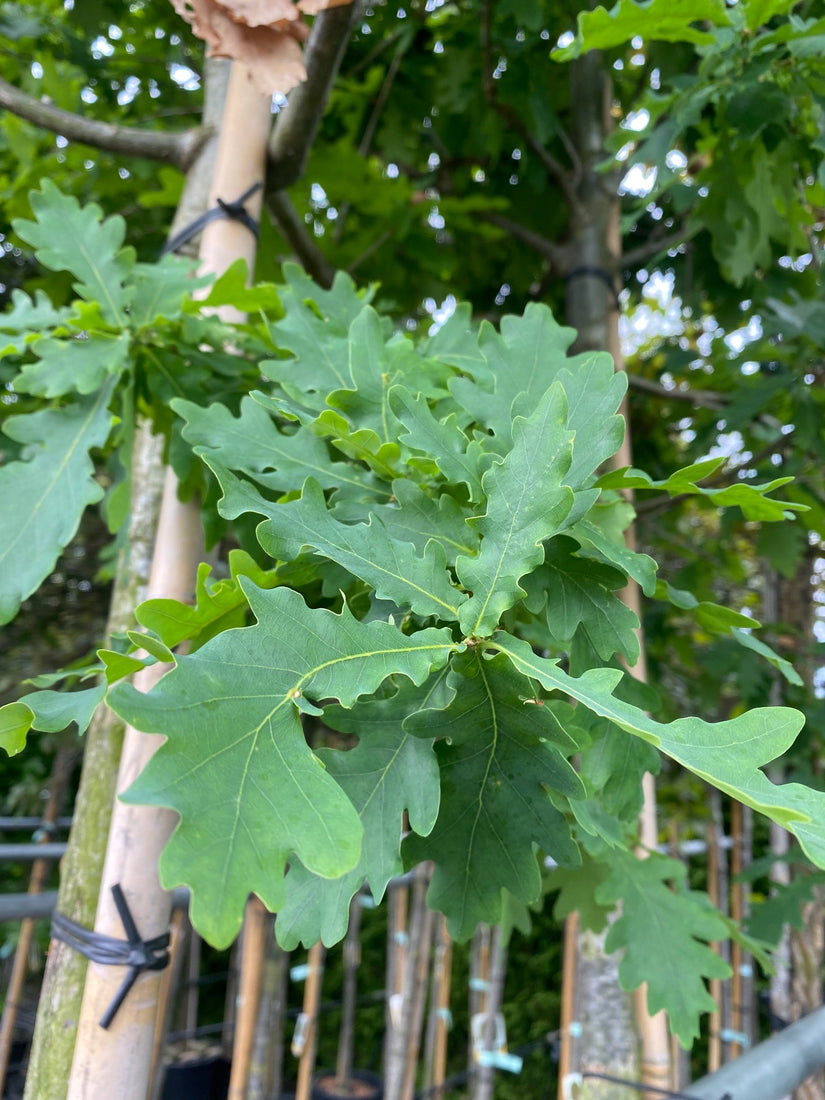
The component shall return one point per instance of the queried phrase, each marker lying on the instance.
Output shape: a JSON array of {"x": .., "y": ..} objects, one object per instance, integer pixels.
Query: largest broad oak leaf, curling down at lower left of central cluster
[{"x": 237, "y": 767}]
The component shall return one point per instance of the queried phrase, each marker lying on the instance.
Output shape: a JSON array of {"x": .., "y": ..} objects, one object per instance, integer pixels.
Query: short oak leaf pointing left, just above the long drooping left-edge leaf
[{"x": 82, "y": 367}]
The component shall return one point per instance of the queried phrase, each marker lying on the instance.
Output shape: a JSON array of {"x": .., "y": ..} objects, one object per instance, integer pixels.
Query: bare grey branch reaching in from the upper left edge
[{"x": 179, "y": 149}]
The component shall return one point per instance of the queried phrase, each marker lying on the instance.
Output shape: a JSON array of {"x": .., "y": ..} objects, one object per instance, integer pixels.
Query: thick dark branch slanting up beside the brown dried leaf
[{"x": 296, "y": 126}]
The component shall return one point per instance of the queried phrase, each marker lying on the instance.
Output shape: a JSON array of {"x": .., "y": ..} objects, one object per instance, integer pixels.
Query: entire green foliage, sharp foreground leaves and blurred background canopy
[{"x": 430, "y": 511}]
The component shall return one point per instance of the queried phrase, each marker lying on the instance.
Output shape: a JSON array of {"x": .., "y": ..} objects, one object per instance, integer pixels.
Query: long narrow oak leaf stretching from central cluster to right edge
[{"x": 729, "y": 755}]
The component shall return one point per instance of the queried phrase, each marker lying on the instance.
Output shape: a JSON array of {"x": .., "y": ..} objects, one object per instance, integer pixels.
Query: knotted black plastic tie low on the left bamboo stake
[{"x": 134, "y": 952}]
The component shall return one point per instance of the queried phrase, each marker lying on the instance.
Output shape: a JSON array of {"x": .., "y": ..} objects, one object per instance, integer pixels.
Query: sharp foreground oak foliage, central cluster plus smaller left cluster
[{"x": 442, "y": 586}]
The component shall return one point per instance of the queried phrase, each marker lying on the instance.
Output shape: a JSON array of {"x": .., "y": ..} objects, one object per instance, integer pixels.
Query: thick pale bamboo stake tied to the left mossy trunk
[{"x": 117, "y": 1062}]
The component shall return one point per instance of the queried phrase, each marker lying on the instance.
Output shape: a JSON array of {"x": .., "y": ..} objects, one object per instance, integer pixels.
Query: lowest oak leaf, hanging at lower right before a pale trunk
[{"x": 665, "y": 931}]
